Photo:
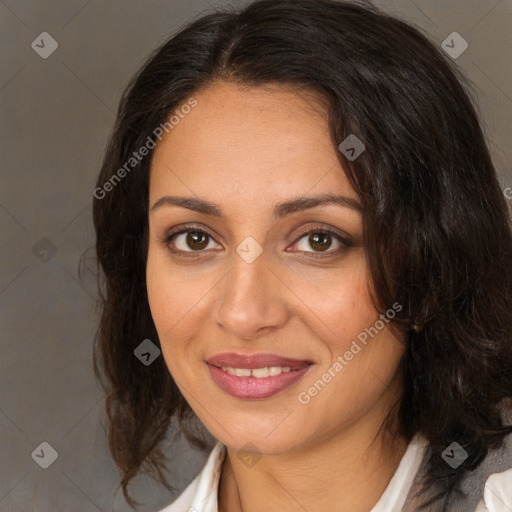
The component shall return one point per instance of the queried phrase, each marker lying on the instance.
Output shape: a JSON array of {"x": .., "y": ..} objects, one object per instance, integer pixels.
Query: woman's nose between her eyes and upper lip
[{"x": 251, "y": 299}]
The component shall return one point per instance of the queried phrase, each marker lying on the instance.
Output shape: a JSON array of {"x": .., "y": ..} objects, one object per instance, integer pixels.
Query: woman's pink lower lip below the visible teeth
[{"x": 251, "y": 388}]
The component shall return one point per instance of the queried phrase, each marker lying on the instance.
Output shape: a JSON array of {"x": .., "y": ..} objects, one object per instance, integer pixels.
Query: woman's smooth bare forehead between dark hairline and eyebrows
[{"x": 250, "y": 142}]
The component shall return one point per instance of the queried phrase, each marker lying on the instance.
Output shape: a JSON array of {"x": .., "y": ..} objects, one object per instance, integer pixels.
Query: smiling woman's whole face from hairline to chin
[{"x": 262, "y": 300}]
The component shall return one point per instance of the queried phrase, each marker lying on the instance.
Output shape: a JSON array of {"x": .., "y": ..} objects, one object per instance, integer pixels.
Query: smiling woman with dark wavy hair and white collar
[{"x": 297, "y": 207}]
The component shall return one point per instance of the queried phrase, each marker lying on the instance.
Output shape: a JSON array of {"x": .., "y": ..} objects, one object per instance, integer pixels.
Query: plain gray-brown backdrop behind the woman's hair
[{"x": 56, "y": 115}]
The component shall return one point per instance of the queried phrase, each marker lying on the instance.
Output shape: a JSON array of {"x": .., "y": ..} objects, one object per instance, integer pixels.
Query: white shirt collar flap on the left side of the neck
[{"x": 199, "y": 495}]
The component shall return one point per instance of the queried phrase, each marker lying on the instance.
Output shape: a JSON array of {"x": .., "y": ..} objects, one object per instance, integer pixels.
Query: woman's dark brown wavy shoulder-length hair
[{"x": 435, "y": 221}]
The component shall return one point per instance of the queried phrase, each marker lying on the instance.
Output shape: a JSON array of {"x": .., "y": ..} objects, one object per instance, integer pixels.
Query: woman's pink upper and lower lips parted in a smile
[{"x": 252, "y": 387}]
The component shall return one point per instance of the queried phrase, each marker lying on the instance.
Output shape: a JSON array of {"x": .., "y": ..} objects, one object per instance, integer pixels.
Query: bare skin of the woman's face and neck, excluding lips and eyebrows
[{"x": 246, "y": 150}]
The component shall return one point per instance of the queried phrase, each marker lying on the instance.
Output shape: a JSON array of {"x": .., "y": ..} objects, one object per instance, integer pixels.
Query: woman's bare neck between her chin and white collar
[{"x": 348, "y": 472}]
